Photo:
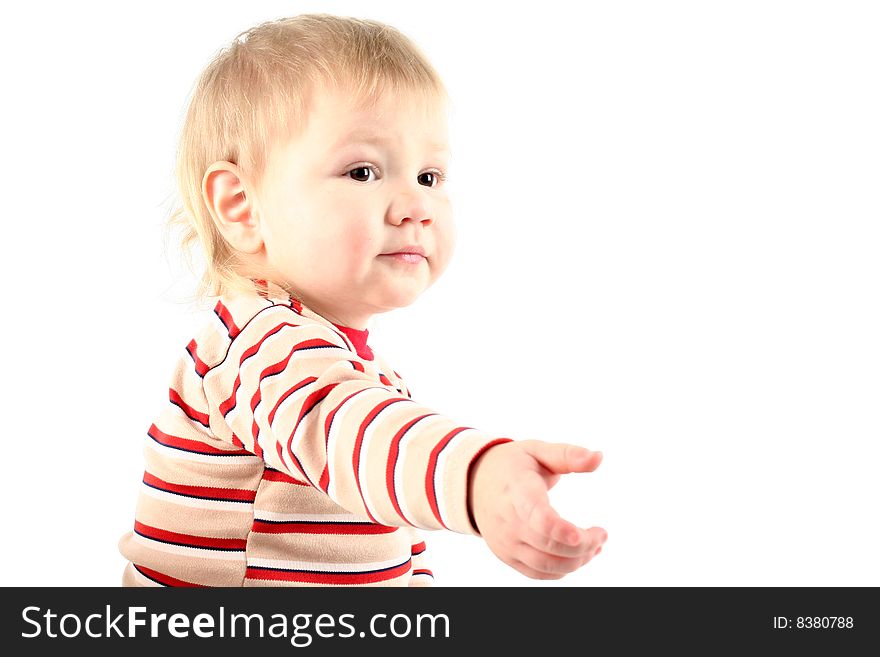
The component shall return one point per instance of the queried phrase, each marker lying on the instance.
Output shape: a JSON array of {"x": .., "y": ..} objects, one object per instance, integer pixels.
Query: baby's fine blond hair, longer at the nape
[{"x": 255, "y": 92}]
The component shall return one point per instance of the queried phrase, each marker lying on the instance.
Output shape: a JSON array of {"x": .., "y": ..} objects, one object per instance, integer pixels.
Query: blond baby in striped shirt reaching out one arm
[{"x": 311, "y": 170}]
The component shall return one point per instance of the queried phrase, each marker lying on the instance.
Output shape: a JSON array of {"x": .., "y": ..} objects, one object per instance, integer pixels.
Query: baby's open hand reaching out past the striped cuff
[{"x": 507, "y": 494}]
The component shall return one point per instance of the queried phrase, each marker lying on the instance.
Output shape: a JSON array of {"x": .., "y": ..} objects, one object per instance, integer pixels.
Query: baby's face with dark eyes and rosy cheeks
[{"x": 355, "y": 186}]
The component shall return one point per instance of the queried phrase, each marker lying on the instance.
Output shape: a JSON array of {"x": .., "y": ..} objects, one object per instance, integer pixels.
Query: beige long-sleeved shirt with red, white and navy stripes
[{"x": 289, "y": 454}]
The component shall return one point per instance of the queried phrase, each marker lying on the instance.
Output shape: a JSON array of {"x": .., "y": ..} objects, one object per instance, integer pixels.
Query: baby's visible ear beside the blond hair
[{"x": 232, "y": 206}]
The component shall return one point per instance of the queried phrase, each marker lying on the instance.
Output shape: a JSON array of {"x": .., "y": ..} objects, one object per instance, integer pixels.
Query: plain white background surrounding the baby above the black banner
[{"x": 668, "y": 247}]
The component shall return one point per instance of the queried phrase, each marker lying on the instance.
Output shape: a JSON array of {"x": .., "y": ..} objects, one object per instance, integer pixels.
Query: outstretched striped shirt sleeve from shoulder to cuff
[{"x": 289, "y": 390}]
